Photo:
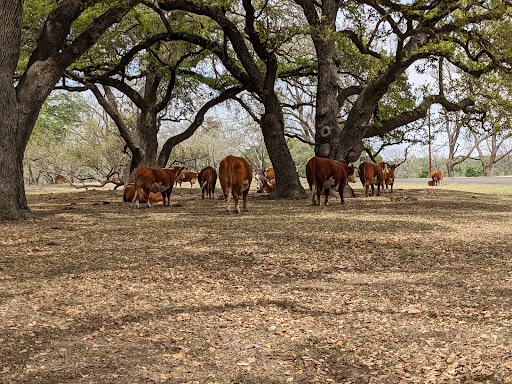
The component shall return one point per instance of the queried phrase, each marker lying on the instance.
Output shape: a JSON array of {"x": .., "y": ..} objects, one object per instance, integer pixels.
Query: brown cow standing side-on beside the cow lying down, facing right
[{"x": 155, "y": 180}]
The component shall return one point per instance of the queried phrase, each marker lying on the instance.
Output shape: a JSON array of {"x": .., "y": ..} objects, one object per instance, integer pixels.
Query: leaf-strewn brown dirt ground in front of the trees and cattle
[{"x": 410, "y": 287}]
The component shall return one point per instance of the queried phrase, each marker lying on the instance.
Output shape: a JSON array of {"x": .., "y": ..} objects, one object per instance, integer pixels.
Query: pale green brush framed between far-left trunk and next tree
[{"x": 72, "y": 140}]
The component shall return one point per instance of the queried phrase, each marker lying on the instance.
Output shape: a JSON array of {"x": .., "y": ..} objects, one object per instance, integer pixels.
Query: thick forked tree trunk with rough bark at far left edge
[{"x": 20, "y": 106}]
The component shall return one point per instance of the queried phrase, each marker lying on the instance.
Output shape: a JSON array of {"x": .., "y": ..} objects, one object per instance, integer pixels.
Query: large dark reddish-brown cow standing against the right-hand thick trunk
[{"x": 324, "y": 174}]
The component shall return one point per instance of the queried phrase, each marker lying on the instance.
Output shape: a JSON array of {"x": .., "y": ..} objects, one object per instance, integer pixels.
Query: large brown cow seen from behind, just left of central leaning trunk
[{"x": 235, "y": 176}]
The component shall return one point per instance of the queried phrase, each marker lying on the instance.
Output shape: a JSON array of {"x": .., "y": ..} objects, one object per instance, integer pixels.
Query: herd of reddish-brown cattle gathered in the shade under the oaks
[{"x": 235, "y": 175}]
